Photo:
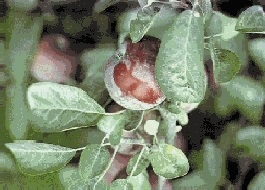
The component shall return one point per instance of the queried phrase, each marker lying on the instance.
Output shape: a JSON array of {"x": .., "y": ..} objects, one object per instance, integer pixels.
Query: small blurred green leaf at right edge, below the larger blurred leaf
[{"x": 252, "y": 139}]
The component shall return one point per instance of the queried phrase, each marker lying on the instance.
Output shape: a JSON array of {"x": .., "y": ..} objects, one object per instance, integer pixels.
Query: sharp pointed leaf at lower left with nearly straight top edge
[{"x": 40, "y": 158}]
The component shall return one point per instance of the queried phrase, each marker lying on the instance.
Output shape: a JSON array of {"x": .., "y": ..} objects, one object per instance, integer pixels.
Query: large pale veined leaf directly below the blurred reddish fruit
[{"x": 57, "y": 107}]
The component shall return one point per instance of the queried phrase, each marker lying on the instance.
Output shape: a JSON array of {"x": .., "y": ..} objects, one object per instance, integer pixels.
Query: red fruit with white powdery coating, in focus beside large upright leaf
[{"x": 130, "y": 78}]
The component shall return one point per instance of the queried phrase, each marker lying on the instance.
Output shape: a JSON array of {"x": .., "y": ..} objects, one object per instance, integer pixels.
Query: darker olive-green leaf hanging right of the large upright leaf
[{"x": 226, "y": 64}]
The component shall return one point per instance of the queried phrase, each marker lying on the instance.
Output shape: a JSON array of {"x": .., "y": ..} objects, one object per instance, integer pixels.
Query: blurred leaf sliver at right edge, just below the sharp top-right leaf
[{"x": 256, "y": 49}]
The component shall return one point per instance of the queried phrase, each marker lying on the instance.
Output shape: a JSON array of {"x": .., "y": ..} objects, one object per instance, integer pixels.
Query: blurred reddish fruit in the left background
[{"x": 54, "y": 61}]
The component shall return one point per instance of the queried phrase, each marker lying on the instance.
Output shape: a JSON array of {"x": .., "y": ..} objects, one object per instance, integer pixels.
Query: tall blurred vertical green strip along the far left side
[{"x": 22, "y": 36}]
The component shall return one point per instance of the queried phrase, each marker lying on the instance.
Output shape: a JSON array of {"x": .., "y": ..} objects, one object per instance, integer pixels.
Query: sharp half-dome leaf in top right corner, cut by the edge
[{"x": 251, "y": 20}]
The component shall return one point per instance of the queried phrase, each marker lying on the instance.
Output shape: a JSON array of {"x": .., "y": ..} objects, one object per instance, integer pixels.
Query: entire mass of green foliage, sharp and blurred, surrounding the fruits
[{"x": 46, "y": 125}]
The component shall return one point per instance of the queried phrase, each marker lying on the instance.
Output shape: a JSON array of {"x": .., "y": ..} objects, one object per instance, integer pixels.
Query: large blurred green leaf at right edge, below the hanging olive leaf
[{"x": 244, "y": 94}]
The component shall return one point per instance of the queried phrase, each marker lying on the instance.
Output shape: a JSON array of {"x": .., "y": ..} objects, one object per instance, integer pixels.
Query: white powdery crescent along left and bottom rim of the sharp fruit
[{"x": 115, "y": 93}]
